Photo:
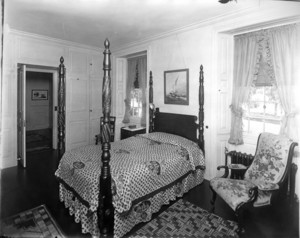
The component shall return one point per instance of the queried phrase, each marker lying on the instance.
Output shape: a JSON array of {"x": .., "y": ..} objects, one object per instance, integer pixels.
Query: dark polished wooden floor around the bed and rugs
[{"x": 22, "y": 189}]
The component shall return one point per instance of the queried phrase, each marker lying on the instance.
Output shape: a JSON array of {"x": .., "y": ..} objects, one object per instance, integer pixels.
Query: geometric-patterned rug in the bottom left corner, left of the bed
[{"x": 36, "y": 222}]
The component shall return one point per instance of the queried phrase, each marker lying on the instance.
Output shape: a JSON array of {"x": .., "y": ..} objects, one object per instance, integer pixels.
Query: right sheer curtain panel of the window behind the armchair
[{"x": 284, "y": 52}]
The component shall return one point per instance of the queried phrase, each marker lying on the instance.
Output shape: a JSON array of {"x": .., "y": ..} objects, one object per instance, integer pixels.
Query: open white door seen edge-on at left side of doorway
[{"x": 22, "y": 114}]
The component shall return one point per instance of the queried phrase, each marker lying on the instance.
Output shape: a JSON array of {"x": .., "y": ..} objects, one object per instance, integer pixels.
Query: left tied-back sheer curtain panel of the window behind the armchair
[{"x": 246, "y": 61}]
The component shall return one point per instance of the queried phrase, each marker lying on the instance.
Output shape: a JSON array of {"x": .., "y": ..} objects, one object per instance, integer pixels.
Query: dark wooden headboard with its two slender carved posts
[{"x": 179, "y": 124}]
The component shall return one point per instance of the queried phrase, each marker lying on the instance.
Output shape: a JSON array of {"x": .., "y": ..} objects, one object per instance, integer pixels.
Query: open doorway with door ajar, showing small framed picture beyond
[{"x": 37, "y": 116}]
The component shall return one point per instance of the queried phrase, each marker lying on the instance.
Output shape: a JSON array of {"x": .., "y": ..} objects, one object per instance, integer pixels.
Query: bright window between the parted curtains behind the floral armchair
[{"x": 263, "y": 111}]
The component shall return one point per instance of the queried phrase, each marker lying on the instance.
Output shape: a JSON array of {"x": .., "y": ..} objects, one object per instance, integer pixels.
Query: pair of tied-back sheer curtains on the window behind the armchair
[{"x": 278, "y": 47}]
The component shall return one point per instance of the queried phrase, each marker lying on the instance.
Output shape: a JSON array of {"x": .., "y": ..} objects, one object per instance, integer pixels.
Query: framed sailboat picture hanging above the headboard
[{"x": 177, "y": 87}]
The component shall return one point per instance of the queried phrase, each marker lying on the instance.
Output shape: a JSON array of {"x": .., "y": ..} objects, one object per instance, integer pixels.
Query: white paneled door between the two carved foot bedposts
[{"x": 84, "y": 97}]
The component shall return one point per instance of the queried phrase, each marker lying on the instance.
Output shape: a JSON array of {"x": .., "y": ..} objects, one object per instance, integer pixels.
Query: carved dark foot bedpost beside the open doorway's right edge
[{"x": 61, "y": 109}]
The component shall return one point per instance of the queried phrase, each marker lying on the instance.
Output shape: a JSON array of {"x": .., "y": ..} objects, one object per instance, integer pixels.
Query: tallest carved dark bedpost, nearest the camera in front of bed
[{"x": 105, "y": 208}]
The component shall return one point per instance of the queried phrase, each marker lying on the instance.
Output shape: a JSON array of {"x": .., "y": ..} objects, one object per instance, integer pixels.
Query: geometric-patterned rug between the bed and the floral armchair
[{"x": 184, "y": 219}]
